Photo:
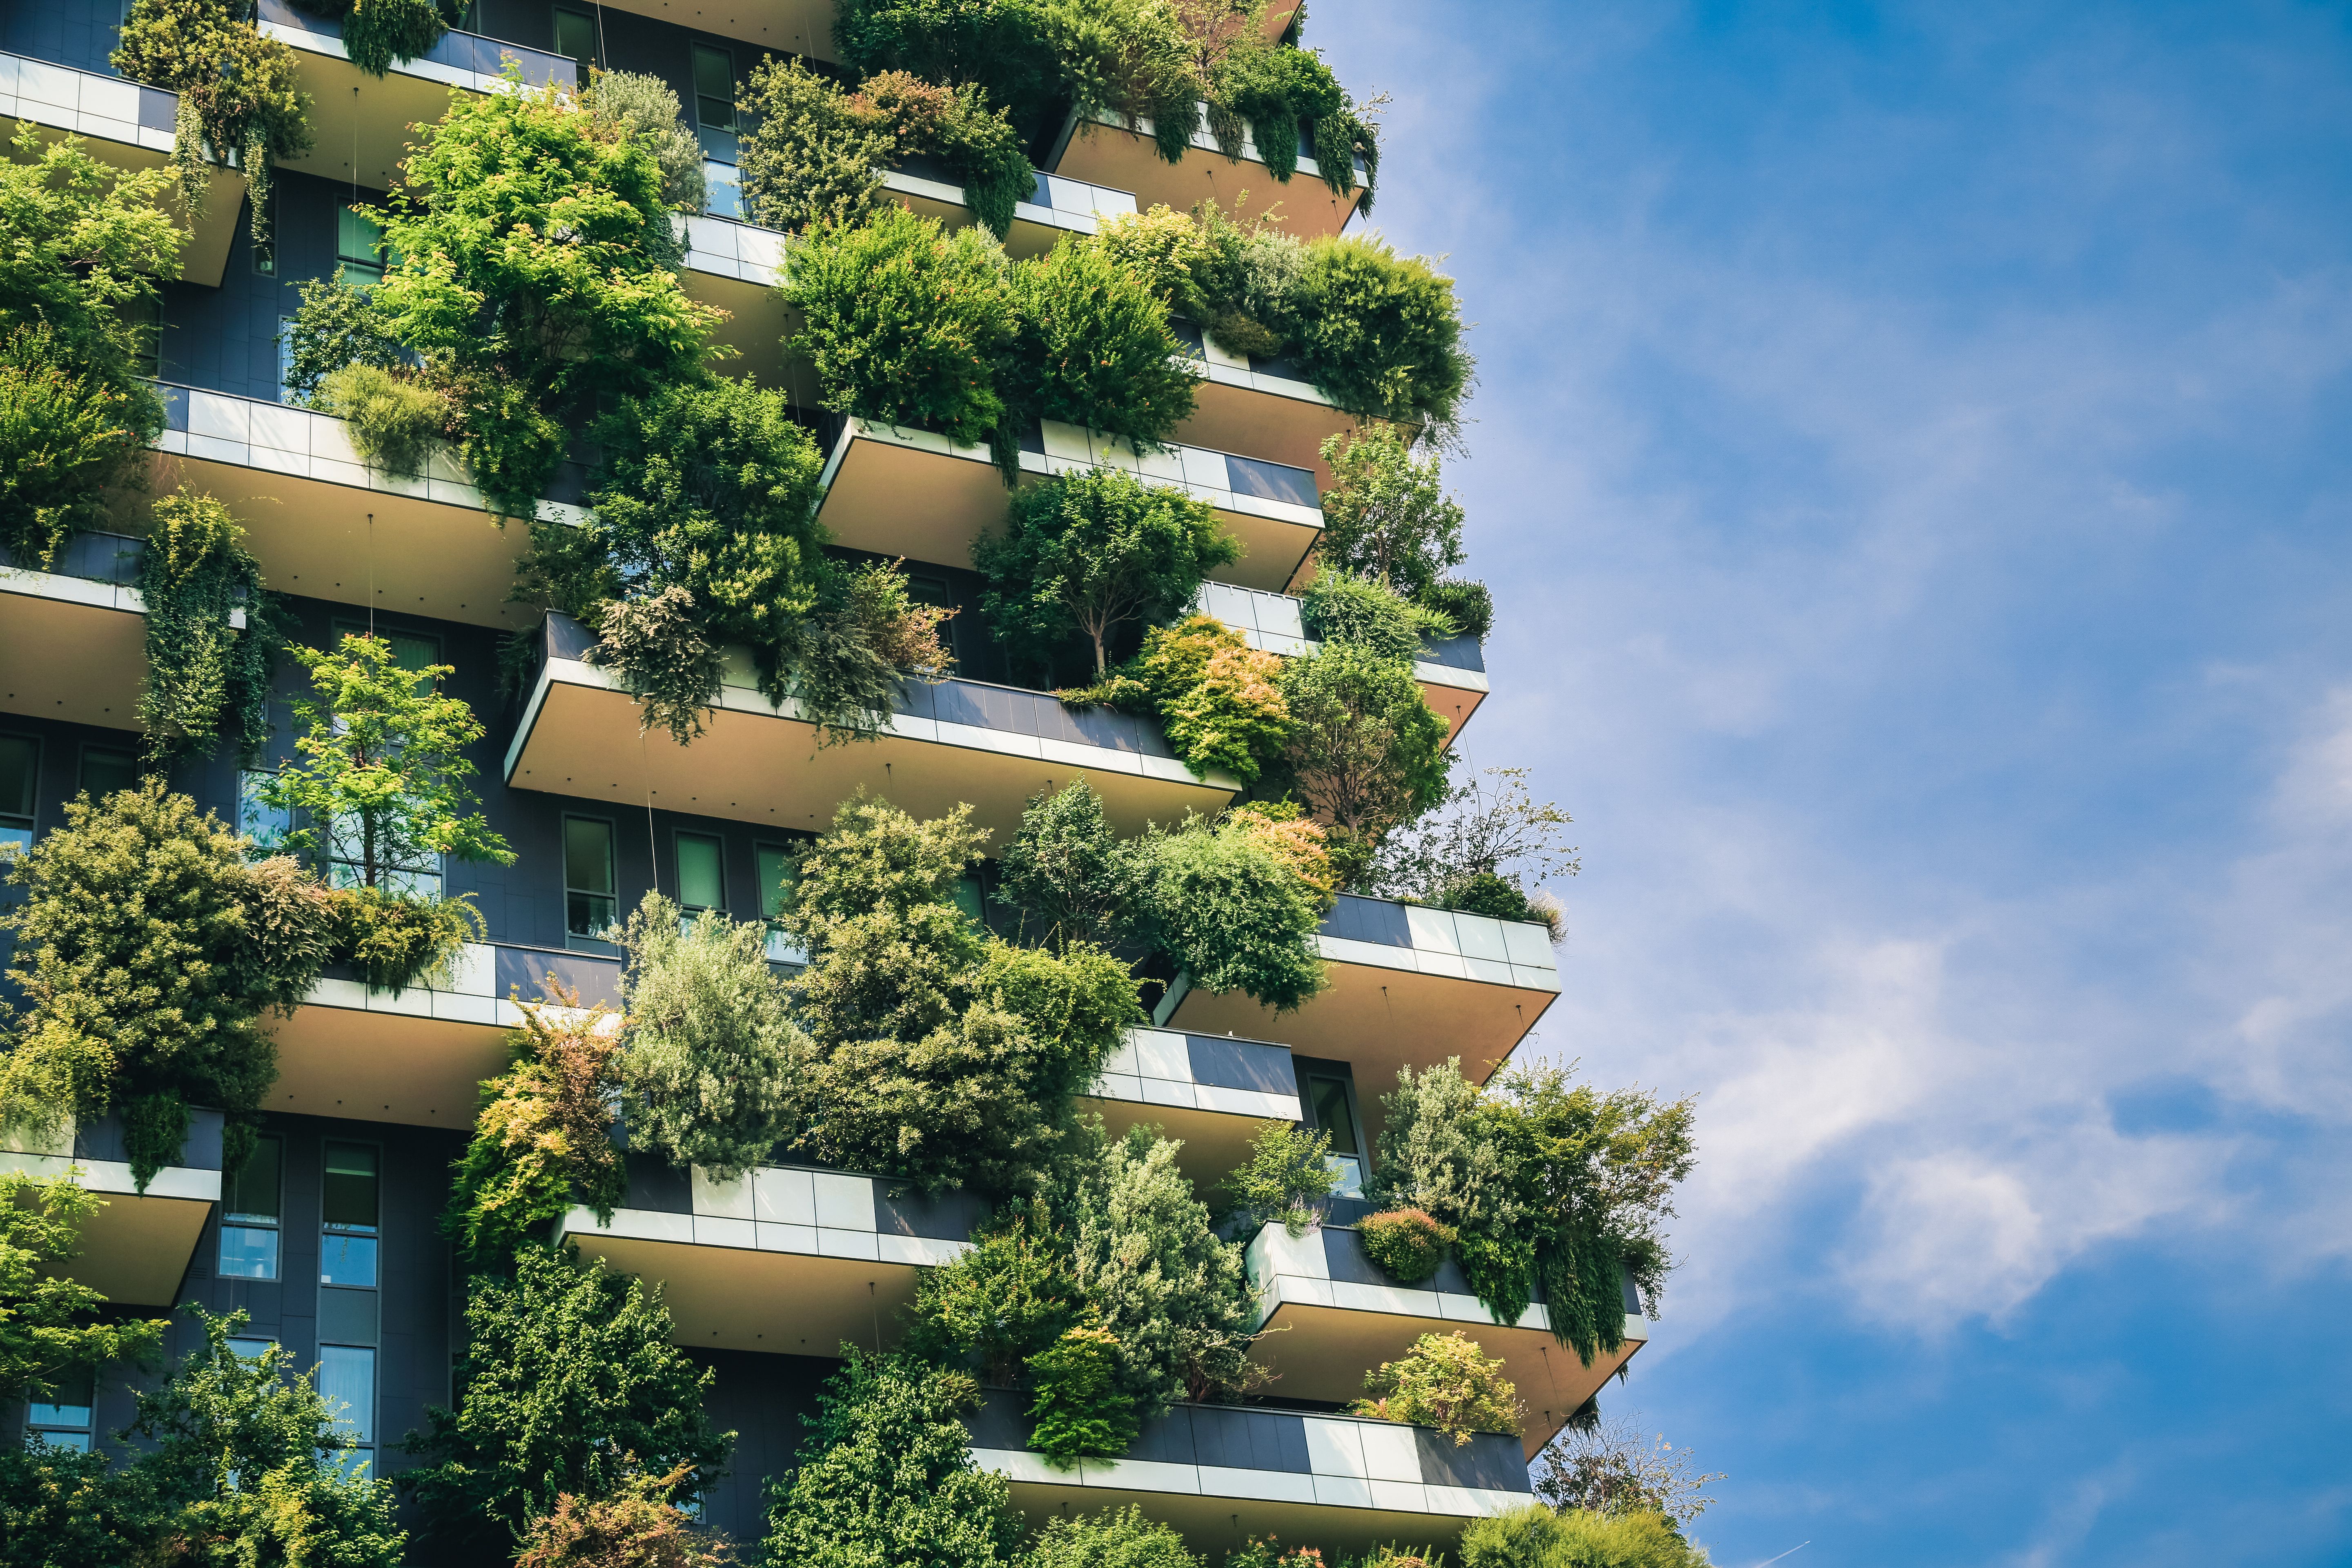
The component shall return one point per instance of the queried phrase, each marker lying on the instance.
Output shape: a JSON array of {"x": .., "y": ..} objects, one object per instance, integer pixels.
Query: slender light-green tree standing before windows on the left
[{"x": 382, "y": 779}]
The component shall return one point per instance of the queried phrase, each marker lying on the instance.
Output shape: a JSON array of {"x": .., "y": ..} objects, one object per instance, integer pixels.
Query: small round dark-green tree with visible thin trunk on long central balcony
[{"x": 1090, "y": 554}]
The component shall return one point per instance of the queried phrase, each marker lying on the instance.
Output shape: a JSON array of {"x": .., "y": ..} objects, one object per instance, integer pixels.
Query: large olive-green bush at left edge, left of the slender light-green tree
[{"x": 142, "y": 977}]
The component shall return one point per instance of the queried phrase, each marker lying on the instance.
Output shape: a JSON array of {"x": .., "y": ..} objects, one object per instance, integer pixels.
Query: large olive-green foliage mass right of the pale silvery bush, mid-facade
[{"x": 940, "y": 1057}]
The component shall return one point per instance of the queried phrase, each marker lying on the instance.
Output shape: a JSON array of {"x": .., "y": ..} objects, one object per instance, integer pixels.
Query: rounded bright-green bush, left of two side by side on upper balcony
[{"x": 904, "y": 321}]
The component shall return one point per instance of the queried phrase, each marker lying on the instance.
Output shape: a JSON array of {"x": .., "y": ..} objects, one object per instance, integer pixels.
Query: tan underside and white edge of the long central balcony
[{"x": 759, "y": 765}]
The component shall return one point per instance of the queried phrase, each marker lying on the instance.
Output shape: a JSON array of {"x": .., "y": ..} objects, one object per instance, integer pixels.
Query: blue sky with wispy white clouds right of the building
[{"x": 1911, "y": 462}]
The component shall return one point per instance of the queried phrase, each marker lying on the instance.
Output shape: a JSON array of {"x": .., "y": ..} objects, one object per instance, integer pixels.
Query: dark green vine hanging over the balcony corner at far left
[{"x": 203, "y": 676}]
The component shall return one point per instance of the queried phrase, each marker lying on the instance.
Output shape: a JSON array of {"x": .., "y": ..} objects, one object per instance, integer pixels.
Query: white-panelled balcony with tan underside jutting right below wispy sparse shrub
[{"x": 1410, "y": 989}]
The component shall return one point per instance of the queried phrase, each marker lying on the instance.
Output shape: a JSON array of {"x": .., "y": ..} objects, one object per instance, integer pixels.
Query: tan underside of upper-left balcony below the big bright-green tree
[{"x": 356, "y": 544}]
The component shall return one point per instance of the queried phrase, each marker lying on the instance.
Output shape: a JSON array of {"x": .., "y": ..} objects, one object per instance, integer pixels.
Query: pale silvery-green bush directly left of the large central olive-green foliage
[{"x": 711, "y": 1052}]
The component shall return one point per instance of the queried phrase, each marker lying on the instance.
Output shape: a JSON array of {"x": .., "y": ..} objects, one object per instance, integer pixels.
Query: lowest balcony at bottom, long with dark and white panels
[{"x": 1222, "y": 1473}]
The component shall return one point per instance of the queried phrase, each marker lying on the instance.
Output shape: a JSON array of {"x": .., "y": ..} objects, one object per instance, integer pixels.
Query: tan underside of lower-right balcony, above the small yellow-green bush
[{"x": 1323, "y": 1353}]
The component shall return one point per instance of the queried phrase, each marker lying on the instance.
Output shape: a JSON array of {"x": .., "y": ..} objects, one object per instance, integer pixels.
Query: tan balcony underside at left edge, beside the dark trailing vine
[{"x": 72, "y": 650}]
